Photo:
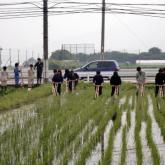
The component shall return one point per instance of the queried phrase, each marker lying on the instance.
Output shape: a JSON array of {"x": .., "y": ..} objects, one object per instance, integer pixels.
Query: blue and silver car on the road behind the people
[{"x": 107, "y": 67}]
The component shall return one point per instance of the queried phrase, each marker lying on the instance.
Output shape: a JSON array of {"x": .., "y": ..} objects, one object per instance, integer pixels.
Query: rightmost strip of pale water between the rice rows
[{"x": 156, "y": 132}]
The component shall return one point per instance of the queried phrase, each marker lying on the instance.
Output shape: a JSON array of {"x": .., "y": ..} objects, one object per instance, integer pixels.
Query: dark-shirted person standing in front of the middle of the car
[{"x": 98, "y": 81}]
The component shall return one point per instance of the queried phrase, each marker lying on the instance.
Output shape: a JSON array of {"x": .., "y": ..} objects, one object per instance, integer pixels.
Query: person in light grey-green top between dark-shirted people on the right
[{"x": 140, "y": 80}]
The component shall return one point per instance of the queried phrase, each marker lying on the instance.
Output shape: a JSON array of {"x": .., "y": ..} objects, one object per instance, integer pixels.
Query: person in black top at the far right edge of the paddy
[{"x": 159, "y": 82}]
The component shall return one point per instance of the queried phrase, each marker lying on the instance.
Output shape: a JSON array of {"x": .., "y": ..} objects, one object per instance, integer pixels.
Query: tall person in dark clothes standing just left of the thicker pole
[{"x": 39, "y": 65}]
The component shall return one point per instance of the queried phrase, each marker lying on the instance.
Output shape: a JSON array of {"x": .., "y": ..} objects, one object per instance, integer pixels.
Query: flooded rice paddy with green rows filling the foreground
[{"x": 37, "y": 128}]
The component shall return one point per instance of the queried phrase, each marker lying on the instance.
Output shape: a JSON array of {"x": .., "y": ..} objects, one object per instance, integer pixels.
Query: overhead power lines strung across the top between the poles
[{"x": 71, "y": 7}]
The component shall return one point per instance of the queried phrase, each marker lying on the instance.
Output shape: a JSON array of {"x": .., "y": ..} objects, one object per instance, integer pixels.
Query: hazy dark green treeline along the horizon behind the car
[{"x": 62, "y": 57}]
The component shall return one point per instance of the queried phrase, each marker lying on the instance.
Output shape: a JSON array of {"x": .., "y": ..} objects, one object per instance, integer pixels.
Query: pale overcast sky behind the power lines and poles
[{"x": 129, "y": 33}]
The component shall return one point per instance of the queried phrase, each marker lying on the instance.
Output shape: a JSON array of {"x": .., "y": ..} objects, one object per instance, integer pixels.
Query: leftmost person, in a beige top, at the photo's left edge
[{"x": 3, "y": 78}]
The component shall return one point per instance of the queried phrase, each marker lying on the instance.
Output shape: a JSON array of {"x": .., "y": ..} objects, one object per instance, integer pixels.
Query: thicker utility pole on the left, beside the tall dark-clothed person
[{"x": 45, "y": 38}]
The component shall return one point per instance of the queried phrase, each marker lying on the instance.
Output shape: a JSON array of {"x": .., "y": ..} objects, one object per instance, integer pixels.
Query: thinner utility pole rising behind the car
[{"x": 102, "y": 29}]
